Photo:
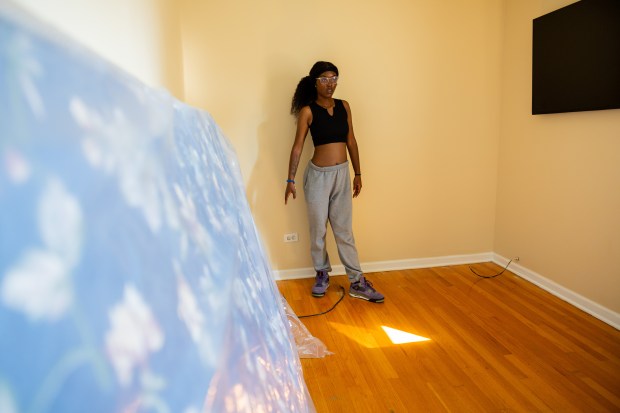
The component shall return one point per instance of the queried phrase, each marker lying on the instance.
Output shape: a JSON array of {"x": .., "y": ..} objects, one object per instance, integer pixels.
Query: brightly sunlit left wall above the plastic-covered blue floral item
[{"x": 142, "y": 37}]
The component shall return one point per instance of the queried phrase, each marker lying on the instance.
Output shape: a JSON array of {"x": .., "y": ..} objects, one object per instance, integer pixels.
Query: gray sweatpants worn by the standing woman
[{"x": 328, "y": 197}]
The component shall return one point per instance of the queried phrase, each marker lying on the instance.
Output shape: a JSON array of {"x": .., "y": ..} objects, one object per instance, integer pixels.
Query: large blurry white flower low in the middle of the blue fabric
[{"x": 133, "y": 335}]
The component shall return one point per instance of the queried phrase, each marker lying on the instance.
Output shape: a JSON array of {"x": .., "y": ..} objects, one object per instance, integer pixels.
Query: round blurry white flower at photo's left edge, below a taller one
[{"x": 38, "y": 286}]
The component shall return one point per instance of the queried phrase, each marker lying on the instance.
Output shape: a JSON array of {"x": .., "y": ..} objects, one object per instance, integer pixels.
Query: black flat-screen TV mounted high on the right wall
[{"x": 576, "y": 58}]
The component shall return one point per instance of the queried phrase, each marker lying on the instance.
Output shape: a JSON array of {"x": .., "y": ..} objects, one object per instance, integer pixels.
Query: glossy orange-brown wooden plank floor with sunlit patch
[{"x": 494, "y": 345}]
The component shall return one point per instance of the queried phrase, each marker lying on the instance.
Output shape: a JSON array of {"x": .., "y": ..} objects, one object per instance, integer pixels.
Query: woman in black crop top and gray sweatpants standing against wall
[{"x": 327, "y": 183}]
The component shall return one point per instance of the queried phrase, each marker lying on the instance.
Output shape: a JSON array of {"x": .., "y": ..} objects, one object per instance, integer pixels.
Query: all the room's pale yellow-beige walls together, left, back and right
[{"x": 453, "y": 161}]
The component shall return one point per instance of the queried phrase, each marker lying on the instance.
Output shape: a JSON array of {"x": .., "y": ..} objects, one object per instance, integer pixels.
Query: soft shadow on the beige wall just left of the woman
[{"x": 267, "y": 183}]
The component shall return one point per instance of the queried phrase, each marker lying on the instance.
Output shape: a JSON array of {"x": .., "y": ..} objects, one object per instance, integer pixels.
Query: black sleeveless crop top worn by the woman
[{"x": 326, "y": 128}]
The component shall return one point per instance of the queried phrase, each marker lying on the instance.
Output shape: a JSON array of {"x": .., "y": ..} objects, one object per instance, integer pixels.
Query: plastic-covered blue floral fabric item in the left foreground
[{"x": 132, "y": 278}]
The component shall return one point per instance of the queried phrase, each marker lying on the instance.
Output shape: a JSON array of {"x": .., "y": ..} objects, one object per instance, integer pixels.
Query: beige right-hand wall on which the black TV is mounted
[{"x": 558, "y": 204}]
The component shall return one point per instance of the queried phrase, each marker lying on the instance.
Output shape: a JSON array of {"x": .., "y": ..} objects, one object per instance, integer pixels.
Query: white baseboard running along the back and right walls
[{"x": 594, "y": 309}]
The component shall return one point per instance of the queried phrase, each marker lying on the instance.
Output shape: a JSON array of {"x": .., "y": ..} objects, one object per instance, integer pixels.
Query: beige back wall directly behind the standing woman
[{"x": 423, "y": 80}]
